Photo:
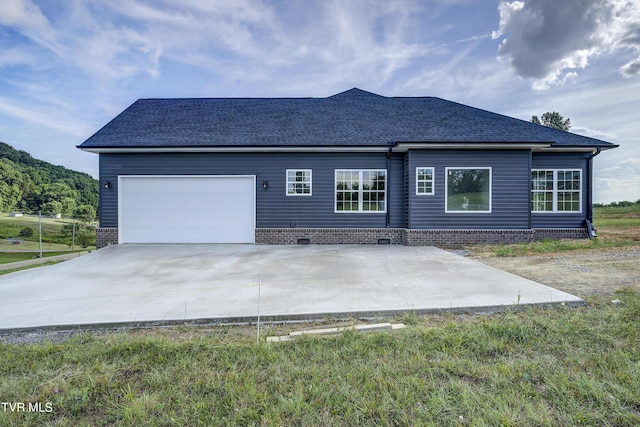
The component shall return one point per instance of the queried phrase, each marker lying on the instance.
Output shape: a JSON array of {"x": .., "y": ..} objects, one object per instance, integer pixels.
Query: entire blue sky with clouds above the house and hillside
[{"x": 68, "y": 67}]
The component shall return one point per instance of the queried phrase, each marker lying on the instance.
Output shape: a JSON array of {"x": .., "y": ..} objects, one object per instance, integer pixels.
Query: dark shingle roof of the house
[{"x": 351, "y": 118}]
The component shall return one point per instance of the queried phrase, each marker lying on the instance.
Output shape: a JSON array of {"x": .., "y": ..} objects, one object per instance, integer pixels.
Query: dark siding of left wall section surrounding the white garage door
[{"x": 274, "y": 208}]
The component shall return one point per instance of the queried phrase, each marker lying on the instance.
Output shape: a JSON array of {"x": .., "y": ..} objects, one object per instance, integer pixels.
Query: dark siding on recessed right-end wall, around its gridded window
[{"x": 563, "y": 161}]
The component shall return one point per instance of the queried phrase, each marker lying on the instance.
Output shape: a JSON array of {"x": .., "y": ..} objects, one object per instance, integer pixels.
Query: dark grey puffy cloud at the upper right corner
[{"x": 550, "y": 41}]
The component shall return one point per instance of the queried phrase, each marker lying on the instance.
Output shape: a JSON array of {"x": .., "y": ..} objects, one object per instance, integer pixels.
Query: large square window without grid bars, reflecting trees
[{"x": 468, "y": 190}]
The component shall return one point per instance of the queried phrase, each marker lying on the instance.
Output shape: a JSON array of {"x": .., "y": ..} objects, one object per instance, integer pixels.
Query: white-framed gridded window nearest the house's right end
[{"x": 556, "y": 190}]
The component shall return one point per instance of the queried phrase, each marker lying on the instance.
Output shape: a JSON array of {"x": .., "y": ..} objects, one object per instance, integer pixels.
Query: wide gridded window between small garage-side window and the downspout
[{"x": 361, "y": 190}]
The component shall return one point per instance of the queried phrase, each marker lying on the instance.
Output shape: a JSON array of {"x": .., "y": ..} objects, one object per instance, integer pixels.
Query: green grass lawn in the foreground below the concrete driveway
[{"x": 554, "y": 367}]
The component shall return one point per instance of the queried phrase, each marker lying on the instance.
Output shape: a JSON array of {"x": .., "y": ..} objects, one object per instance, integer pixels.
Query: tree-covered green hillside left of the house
[{"x": 31, "y": 185}]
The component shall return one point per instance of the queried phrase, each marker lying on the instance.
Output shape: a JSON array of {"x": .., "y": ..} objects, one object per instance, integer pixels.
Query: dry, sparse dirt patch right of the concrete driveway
[{"x": 581, "y": 273}]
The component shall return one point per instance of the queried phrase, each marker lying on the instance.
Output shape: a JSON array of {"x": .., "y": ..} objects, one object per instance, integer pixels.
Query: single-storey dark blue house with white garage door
[{"x": 355, "y": 167}]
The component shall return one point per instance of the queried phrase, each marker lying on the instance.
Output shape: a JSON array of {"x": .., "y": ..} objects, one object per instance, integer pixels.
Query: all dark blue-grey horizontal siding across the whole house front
[{"x": 511, "y": 192}]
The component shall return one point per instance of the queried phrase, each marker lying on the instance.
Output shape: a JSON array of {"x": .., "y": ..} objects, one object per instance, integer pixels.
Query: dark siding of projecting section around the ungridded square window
[{"x": 510, "y": 189}]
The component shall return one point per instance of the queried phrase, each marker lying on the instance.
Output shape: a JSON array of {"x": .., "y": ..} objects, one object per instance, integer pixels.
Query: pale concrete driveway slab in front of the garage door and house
[{"x": 137, "y": 284}]
